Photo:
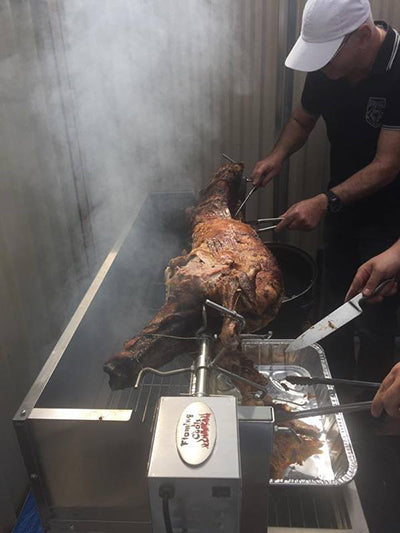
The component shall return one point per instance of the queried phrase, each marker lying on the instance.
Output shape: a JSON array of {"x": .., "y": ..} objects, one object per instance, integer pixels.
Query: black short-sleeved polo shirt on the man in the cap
[{"x": 354, "y": 116}]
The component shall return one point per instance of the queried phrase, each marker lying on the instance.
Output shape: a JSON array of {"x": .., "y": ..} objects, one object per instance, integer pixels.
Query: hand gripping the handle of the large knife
[{"x": 383, "y": 266}]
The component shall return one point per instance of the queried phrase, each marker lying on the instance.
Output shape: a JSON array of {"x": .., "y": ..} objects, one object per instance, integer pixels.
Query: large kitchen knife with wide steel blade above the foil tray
[{"x": 335, "y": 320}]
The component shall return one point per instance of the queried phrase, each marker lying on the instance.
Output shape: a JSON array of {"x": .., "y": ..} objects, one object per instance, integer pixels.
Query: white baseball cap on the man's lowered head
[{"x": 325, "y": 24}]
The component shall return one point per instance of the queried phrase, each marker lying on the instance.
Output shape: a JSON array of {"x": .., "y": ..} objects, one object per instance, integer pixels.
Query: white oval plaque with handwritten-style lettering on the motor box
[{"x": 196, "y": 433}]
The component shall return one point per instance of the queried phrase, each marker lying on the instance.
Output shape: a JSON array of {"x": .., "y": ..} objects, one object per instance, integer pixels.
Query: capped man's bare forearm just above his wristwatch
[{"x": 365, "y": 182}]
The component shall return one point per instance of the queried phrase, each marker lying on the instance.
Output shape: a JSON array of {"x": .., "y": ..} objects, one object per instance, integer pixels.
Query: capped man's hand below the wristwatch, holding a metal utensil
[{"x": 305, "y": 215}]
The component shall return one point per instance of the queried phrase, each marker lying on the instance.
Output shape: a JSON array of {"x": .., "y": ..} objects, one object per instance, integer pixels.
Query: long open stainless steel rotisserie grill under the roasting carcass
[{"x": 86, "y": 447}]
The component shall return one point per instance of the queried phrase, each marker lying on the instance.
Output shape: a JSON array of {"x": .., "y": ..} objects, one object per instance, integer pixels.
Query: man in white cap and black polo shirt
[{"x": 353, "y": 81}]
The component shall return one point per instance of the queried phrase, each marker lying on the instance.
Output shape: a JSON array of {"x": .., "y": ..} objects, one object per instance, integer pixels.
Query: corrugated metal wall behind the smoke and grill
[{"x": 101, "y": 103}]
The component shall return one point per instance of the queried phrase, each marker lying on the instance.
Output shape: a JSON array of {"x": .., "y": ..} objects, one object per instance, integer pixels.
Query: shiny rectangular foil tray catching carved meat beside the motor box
[{"x": 334, "y": 463}]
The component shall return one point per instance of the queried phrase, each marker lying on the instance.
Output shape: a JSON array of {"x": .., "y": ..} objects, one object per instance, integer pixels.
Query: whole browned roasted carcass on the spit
[{"x": 228, "y": 264}]
